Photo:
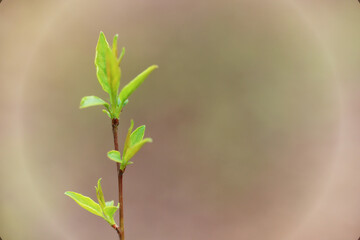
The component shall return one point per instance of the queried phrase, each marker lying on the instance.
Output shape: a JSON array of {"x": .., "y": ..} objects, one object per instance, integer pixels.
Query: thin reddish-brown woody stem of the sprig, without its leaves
[{"x": 115, "y": 124}]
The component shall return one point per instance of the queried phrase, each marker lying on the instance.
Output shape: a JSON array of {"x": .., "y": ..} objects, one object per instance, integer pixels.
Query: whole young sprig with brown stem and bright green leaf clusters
[{"x": 108, "y": 72}]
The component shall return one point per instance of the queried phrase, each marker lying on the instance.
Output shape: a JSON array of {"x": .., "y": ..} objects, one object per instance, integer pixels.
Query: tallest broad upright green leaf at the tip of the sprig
[{"x": 100, "y": 62}]
